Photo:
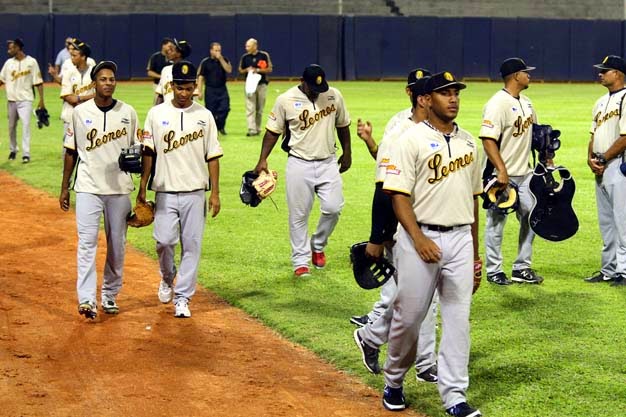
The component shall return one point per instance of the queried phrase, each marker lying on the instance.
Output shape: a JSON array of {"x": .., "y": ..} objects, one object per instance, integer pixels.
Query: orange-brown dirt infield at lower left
[{"x": 143, "y": 362}]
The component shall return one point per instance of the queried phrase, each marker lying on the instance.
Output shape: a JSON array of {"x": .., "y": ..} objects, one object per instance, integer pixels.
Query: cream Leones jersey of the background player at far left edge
[{"x": 20, "y": 77}]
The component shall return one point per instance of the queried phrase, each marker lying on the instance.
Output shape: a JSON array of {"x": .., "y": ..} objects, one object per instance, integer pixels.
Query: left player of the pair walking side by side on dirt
[{"x": 100, "y": 128}]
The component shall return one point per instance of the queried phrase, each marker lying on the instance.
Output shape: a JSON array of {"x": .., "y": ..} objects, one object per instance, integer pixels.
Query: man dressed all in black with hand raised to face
[{"x": 212, "y": 74}]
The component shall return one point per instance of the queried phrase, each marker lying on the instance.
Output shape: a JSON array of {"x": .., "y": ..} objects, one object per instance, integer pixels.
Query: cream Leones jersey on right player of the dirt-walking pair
[{"x": 183, "y": 140}]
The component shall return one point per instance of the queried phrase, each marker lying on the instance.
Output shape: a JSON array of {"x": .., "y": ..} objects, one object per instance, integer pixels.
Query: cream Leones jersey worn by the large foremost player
[{"x": 440, "y": 172}]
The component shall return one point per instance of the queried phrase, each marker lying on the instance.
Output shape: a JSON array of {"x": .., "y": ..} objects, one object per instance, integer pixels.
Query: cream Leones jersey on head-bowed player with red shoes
[{"x": 309, "y": 127}]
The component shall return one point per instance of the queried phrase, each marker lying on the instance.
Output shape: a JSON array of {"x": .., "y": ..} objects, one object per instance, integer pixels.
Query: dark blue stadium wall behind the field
[{"x": 348, "y": 47}]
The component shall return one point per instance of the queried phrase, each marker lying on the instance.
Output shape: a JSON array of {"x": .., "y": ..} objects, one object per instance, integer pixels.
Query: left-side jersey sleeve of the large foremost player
[{"x": 401, "y": 170}]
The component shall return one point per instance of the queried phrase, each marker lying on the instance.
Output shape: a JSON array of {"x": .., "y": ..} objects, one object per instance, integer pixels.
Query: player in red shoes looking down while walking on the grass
[{"x": 306, "y": 116}]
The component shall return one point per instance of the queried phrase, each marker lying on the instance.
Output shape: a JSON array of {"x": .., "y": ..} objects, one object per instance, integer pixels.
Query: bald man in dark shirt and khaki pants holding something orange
[{"x": 259, "y": 62}]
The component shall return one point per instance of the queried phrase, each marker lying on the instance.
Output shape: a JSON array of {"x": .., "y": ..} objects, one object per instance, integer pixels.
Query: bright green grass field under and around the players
[{"x": 550, "y": 350}]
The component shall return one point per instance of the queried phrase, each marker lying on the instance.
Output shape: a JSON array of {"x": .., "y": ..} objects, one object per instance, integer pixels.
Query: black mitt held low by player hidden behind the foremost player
[{"x": 369, "y": 273}]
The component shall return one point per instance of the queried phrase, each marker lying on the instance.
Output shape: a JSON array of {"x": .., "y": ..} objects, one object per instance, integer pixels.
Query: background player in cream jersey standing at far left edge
[{"x": 21, "y": 75}]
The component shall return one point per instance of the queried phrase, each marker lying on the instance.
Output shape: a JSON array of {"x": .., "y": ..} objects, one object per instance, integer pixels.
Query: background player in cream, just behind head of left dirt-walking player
[{"x": 77, "y": 85}]
